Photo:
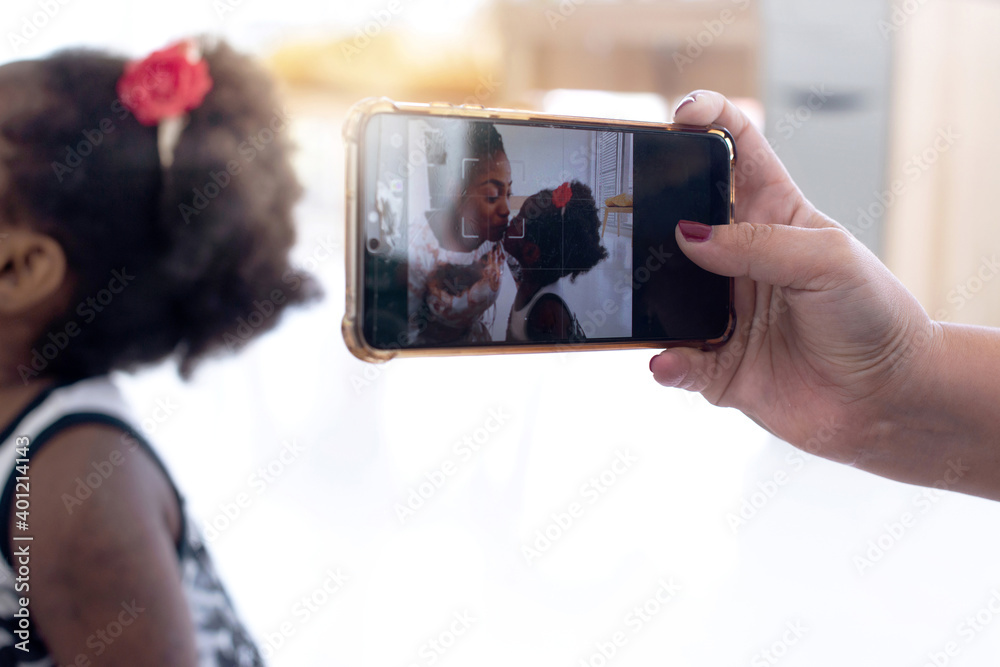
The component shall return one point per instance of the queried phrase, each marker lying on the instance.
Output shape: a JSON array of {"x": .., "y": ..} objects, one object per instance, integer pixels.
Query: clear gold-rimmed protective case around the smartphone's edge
[{"x": 354, "y": 128}]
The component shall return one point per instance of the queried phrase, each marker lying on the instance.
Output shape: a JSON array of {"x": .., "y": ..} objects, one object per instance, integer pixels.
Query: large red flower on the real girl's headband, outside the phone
[{"x": 167, "y": 84}]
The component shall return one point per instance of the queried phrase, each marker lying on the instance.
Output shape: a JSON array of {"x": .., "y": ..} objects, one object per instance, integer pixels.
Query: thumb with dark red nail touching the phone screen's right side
[{"x": 796, "y": 257}]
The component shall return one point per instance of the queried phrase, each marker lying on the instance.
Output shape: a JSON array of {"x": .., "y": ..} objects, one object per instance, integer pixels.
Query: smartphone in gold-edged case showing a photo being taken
[{"x": 473, "y": 231}]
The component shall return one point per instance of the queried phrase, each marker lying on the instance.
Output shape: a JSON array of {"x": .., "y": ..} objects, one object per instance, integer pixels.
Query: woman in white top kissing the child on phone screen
[{"x": 456, "y": 260}]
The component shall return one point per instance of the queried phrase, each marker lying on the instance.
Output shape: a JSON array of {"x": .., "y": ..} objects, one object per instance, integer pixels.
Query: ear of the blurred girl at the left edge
[{"x": 32, "y": 269}]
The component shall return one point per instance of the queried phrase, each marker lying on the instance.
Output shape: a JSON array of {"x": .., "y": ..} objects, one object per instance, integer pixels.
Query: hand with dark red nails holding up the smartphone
[{"x": 829, "y": 347}]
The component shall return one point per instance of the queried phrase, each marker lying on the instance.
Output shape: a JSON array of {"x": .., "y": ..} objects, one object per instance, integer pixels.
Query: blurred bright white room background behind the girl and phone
[{"x": 677, "y": 533}]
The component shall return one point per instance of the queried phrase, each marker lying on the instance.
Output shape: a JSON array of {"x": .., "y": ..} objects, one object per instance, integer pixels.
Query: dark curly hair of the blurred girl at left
[{"x": 180, "y": 261}]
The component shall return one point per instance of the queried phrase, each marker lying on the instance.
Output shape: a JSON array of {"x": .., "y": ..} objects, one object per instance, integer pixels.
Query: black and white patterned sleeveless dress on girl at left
[{"x": 221, "y": 638}]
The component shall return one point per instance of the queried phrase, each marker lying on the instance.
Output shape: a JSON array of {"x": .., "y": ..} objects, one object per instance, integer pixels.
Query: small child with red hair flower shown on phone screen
[{"x": 555, "y": 234}]
